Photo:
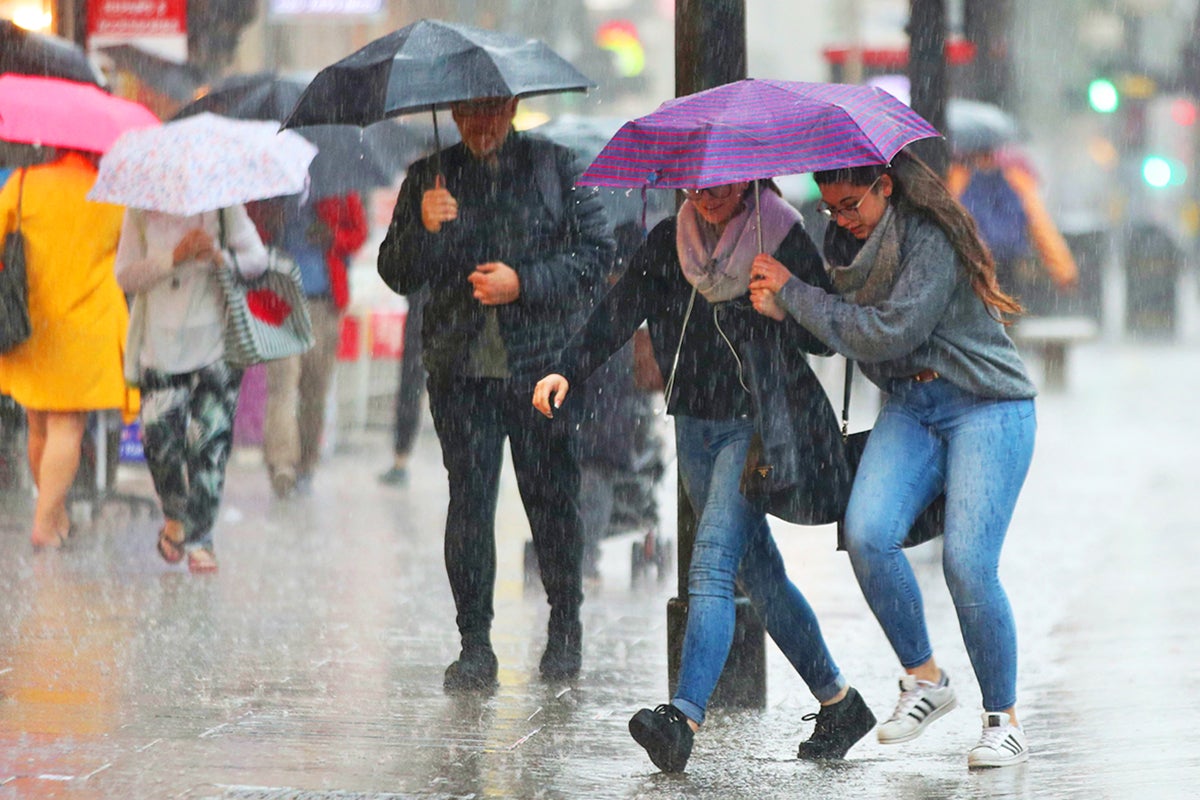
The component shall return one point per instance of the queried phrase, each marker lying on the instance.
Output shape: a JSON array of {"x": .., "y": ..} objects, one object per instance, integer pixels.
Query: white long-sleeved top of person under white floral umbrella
[{"x": 184, "y": 308}]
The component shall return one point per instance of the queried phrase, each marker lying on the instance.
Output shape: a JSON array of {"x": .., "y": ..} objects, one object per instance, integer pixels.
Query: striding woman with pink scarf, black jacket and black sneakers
[{"x": 689, "y": 281}]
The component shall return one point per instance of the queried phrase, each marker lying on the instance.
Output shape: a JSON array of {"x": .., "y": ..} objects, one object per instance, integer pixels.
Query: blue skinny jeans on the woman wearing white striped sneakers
[{"x": 933, "y": 437}]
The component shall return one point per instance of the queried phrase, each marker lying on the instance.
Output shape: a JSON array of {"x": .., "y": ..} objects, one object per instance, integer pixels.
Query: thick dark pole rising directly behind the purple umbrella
[{"x": 711, "y": 50}]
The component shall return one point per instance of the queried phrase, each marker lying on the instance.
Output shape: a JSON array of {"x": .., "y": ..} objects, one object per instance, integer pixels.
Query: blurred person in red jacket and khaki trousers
[{"x": 320, "y": 237}]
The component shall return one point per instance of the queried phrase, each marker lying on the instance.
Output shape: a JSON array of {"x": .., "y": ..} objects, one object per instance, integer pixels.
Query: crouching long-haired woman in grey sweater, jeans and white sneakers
[{"x": 917, "y": 305}]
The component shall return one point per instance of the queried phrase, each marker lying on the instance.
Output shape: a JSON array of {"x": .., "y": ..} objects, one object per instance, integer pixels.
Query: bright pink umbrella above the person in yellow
[{"x": 65, "y": 115}]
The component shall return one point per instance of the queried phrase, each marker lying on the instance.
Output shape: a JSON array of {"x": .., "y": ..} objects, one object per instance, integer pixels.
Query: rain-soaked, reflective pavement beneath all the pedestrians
[{"x": 311, "y": 665}]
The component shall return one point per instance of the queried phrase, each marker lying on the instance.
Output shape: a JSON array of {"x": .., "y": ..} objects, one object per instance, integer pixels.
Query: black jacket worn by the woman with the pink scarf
[{"x": 711, "y": 381}]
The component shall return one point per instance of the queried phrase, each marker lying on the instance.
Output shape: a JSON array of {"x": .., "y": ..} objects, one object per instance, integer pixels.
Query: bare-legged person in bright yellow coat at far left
[{"x": 71, "y": 364}]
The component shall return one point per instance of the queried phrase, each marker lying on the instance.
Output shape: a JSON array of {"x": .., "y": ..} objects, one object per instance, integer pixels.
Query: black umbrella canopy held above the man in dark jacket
[{"x": 429, "y": 65}]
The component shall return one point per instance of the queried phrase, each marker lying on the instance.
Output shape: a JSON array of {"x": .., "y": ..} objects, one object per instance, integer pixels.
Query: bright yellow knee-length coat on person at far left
[{"x": 73, "y": 362}]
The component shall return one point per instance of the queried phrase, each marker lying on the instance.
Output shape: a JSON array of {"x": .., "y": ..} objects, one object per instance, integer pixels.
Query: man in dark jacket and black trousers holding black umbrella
[{"x": 514, "y": 257}]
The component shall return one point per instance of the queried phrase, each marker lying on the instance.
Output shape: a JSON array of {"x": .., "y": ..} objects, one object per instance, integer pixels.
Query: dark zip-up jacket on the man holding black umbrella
[{"x": 527, "y": 213}]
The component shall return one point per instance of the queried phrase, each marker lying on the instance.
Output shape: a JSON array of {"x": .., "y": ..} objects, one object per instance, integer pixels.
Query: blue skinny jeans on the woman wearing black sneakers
[{"x": 735, "y": 544}]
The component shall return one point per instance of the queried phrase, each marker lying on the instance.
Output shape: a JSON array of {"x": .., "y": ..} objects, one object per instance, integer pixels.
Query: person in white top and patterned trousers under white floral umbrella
[{"x": 176, "y": 354}]
